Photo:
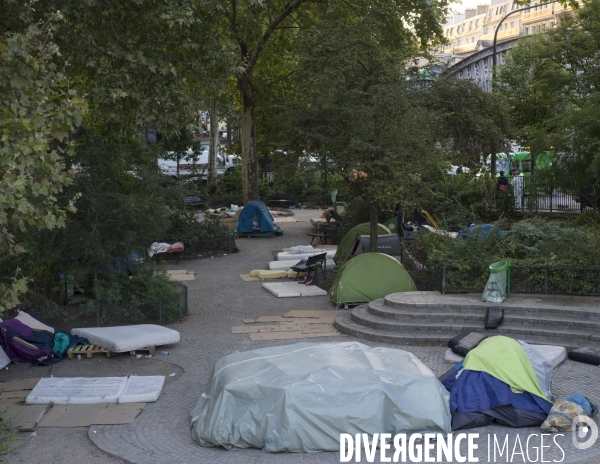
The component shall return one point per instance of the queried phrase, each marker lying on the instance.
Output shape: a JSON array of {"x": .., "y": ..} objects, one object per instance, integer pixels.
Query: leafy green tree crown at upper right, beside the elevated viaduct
[{"x": 550, "y": 82}]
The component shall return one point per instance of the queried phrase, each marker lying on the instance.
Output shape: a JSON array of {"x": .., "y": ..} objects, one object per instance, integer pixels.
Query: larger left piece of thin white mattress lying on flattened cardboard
[{"x": 77, "y": 390}]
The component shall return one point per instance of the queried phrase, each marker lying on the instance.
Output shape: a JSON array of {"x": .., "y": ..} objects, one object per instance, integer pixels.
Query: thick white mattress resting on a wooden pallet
[{"x": 128, "y": 337}]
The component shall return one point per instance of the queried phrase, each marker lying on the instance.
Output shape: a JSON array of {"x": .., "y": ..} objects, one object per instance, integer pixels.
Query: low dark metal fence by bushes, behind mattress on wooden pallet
[{"x": 166, "y": 310}]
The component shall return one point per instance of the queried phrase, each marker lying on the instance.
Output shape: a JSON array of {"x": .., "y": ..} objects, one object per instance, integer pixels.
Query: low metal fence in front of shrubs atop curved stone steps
[{"x": 565, "y": 280}]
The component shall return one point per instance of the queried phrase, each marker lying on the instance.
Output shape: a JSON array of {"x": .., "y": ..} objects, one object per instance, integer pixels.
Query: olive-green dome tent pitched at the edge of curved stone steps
[{"x": 370, "y": 276}]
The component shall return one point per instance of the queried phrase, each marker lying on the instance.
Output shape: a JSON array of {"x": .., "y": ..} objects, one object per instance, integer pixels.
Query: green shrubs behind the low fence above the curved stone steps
[{"x": 533, "y": 246}]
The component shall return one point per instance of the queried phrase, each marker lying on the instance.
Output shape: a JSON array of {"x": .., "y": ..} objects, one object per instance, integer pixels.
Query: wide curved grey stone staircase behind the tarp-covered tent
[{"x": 430, "y": 318}]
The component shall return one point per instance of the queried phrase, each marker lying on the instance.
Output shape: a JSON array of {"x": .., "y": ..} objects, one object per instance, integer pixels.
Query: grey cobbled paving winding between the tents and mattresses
[{"x": 219, "y": 299}]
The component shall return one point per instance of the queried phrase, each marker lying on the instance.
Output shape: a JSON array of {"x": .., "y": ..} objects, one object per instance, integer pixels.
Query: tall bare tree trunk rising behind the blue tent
[{"x": 249, "y": 161}]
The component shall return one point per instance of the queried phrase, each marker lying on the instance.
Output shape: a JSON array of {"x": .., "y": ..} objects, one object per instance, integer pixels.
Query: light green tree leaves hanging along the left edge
[{"x": 38, "y": 109}]
